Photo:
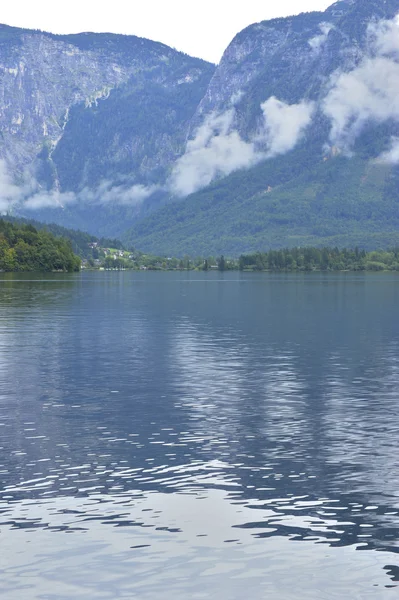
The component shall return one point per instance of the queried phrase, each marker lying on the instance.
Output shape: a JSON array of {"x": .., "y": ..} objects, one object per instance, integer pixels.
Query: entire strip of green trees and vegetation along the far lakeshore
[{"x": 28, "y": 247}]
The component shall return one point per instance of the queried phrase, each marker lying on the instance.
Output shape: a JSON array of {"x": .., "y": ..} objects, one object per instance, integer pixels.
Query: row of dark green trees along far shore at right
[{"x": 320, "y": 259}]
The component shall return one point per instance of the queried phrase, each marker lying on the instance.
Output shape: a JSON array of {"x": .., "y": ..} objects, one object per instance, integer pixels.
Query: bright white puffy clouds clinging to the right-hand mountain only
[{"x": 368, "y": 93}]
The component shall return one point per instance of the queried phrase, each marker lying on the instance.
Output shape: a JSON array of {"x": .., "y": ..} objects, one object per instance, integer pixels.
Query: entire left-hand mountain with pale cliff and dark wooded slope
[{"x": 88, "y": 112}]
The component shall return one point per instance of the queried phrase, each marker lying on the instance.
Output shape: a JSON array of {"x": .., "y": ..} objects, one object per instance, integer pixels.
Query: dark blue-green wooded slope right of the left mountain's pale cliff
[{"x": 135, "y": 135}]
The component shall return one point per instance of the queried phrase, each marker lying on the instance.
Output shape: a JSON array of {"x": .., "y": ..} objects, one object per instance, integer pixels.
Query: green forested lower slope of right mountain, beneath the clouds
[{"x": 296, "y": 200}]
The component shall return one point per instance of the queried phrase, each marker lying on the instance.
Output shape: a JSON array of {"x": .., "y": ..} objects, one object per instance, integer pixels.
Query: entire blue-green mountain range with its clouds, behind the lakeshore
[{"x": 293, "y": 139}]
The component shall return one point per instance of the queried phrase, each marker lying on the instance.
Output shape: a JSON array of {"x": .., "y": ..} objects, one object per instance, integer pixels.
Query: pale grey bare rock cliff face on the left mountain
[{"x": 41, "y": 79}]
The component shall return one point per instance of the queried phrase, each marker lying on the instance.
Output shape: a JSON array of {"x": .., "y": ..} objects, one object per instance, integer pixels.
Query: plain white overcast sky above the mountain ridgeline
[{"x": 201, "y": 28}]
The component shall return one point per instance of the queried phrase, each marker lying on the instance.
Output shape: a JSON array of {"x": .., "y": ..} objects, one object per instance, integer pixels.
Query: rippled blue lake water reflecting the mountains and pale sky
[{"x": 199, "y": 435}]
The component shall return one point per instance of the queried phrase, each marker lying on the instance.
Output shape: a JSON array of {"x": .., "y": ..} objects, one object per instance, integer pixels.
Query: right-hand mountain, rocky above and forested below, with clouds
[{"x": 331, "y": 185}]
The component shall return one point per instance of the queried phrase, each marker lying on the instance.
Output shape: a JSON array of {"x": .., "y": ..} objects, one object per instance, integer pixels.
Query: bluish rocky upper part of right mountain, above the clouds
[{"x": 291, "y": 58}]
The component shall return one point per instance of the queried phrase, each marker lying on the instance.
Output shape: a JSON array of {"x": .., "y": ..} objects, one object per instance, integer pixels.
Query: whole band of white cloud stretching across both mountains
[{"x": 349, "y": 99}]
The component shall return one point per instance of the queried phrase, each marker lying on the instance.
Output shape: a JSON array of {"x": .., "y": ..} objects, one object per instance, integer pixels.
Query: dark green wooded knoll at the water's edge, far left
[{"x": 24, "y": 248}]
